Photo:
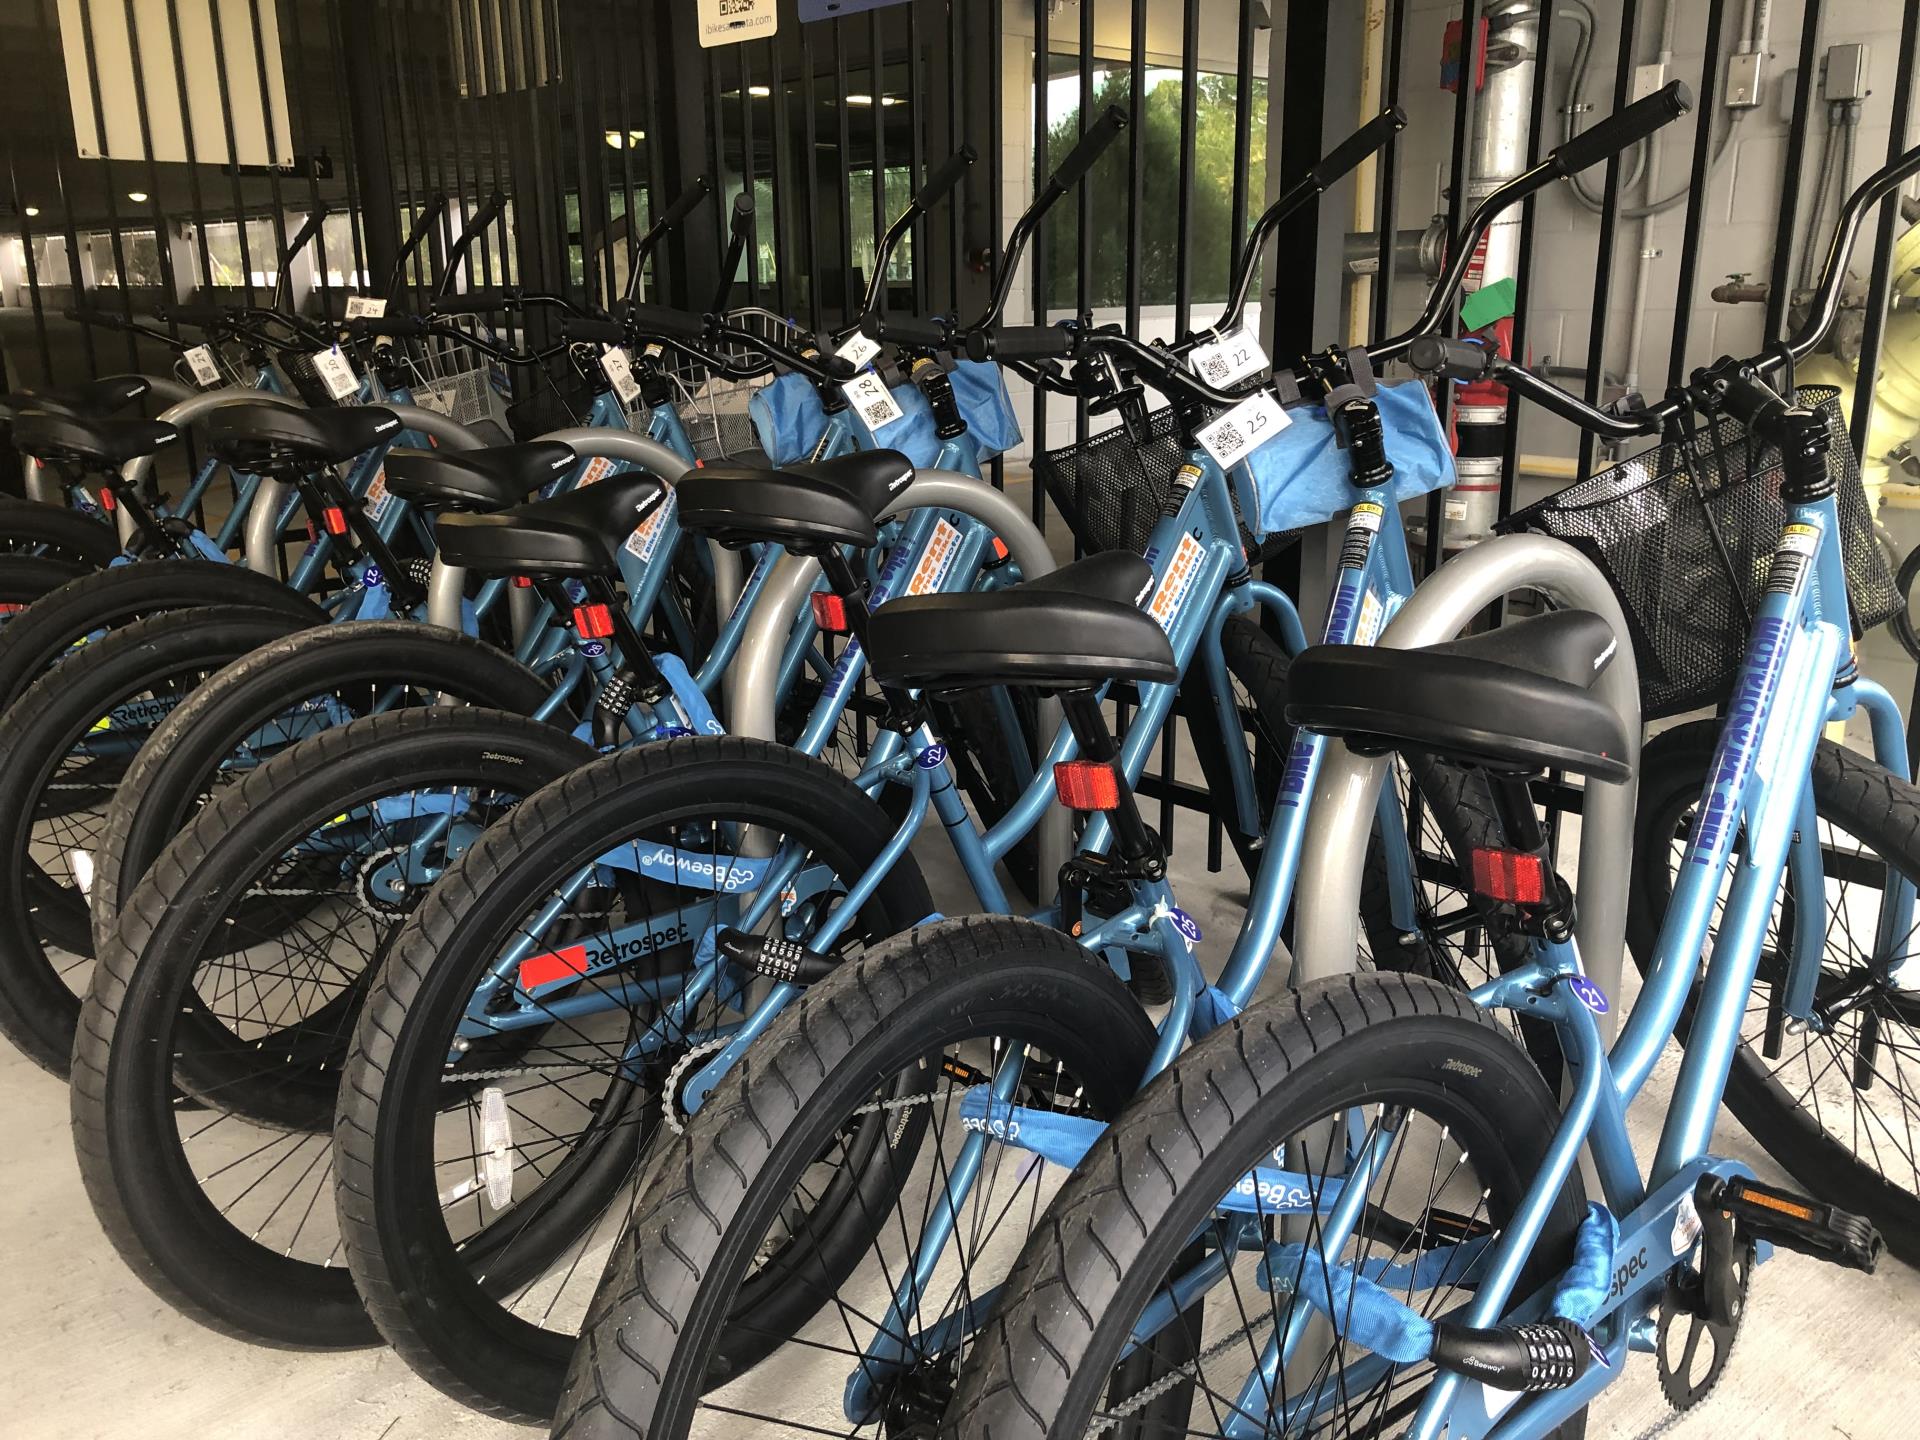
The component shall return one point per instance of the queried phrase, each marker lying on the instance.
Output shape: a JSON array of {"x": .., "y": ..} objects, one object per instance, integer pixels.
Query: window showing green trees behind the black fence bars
[{"x": 1211, "y": 216}]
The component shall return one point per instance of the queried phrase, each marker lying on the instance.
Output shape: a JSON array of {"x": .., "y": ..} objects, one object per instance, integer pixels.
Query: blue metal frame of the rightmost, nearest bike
[{"x": 1796, "y": 677}]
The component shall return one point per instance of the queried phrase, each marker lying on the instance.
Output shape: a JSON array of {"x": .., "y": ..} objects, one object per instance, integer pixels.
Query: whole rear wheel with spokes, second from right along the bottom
[{"x": 880, "y": 1057}]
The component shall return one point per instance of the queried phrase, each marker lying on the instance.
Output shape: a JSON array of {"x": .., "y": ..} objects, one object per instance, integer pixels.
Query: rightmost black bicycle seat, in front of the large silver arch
[{"x": 1512, "y": 698}]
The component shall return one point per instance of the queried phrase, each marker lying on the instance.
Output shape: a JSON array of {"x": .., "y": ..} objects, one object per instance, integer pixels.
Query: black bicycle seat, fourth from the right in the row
[{"x": 579, "y": 533}]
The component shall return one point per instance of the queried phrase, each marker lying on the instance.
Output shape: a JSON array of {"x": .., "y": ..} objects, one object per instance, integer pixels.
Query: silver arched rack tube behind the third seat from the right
[{"x": 756, "y": 671}]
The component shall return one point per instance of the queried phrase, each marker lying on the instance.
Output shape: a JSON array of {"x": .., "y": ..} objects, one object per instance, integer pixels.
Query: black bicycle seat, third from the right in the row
[{"x": 805, "y": 508}]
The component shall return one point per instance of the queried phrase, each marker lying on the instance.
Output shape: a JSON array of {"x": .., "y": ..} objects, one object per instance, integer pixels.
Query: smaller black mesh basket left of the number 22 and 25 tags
[{"x": 1111, "y": 491}]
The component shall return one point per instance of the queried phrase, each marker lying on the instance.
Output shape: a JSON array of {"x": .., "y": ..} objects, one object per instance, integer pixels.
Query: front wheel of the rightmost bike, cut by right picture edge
[{"x": 1836, "y": 1103}]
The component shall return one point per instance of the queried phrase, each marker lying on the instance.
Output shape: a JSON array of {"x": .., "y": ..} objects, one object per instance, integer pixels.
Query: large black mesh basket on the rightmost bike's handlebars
[{"x": 1652, "y": 533}]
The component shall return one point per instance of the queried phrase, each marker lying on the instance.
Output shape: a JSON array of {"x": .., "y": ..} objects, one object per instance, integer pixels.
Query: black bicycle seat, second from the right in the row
[{"x": 1078, "y": 627}]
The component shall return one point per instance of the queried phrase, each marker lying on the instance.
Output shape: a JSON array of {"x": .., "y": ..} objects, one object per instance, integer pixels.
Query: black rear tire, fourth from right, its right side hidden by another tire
[{"x": 135, "y": 1174}]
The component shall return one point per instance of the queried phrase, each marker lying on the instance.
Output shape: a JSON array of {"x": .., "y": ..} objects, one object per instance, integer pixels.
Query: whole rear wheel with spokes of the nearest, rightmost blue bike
[{"x": 1464, "y": 1120}]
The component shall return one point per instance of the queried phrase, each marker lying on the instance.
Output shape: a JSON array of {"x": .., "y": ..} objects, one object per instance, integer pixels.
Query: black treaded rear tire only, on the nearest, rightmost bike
[{"x": 1109, "y": 1237}]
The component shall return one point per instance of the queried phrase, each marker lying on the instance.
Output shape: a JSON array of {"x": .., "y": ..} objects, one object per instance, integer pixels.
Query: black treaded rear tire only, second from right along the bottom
[{"x": 644, "y": 1358}]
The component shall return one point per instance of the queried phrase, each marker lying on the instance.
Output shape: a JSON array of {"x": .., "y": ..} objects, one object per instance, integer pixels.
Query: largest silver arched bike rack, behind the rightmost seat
[{"x": 1347, "y": 792}]
